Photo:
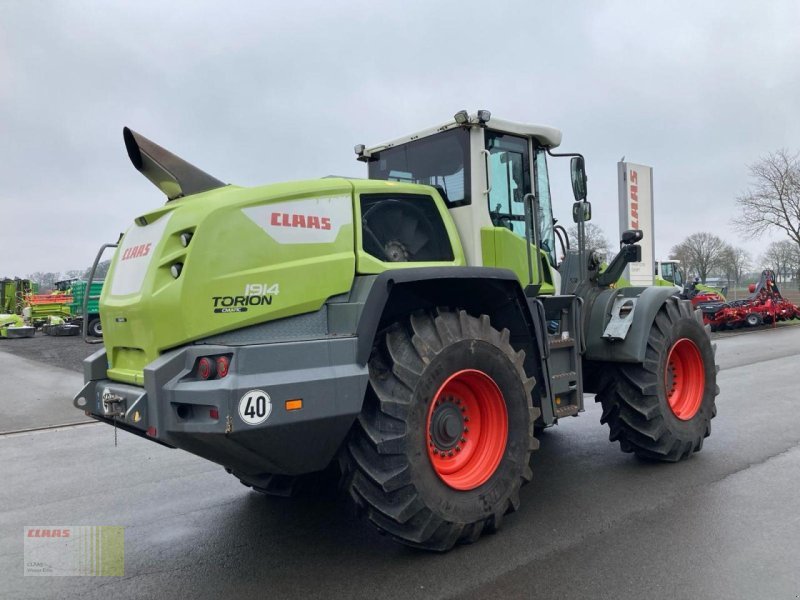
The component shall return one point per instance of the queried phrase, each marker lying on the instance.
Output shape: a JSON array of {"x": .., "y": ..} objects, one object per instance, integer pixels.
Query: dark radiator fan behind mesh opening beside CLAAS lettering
[{"x": 396, "y": 231}]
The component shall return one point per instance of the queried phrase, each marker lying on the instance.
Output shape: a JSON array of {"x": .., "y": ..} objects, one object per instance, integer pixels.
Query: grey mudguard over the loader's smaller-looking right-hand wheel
[{"x": 613, "y": 337}]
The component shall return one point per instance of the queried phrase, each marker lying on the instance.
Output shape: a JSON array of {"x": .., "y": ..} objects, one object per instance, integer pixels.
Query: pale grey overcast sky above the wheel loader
[{"x": 260, "y": 92}]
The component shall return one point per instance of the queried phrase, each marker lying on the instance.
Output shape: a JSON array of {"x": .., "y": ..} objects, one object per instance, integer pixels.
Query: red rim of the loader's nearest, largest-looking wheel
[{"x": 467, "y": 429}]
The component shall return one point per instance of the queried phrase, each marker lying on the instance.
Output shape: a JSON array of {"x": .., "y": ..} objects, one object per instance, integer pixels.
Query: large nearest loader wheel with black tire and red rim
[{"x": 426, "y": 373}]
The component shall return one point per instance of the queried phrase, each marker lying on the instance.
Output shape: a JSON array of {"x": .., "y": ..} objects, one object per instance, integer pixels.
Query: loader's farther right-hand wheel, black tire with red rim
[{"x": 646, "y": 417}]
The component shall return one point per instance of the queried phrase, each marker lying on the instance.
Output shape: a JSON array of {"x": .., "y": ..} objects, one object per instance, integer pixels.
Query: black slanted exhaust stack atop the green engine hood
[{"x": 169, "y": 173}]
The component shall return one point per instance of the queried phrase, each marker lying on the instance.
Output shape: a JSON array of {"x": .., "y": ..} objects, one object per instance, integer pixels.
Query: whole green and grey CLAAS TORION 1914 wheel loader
[{"x": 413, "y": 329}]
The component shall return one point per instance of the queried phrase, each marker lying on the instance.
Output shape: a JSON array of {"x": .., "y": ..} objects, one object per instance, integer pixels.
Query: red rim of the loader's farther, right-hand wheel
[{"x": 685, "y": 379}]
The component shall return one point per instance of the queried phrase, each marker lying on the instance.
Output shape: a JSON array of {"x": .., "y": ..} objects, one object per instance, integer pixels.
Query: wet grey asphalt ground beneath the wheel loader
[{"x": 595, "y": 523}]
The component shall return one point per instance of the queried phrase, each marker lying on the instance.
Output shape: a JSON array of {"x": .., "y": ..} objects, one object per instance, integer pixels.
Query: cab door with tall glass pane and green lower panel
[{"x": 503, "y": 244}]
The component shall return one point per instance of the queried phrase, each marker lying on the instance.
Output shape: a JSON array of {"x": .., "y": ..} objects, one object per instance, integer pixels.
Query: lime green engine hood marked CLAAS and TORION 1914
[{"x": 254, "y": 255}]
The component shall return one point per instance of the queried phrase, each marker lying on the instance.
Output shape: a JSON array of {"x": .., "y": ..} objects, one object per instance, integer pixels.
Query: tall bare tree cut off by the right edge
[{"x": 773, "y": 200}]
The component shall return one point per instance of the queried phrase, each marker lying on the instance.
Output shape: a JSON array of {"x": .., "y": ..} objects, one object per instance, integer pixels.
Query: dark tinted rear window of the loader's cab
[{"x": 440, "y": 160}]
